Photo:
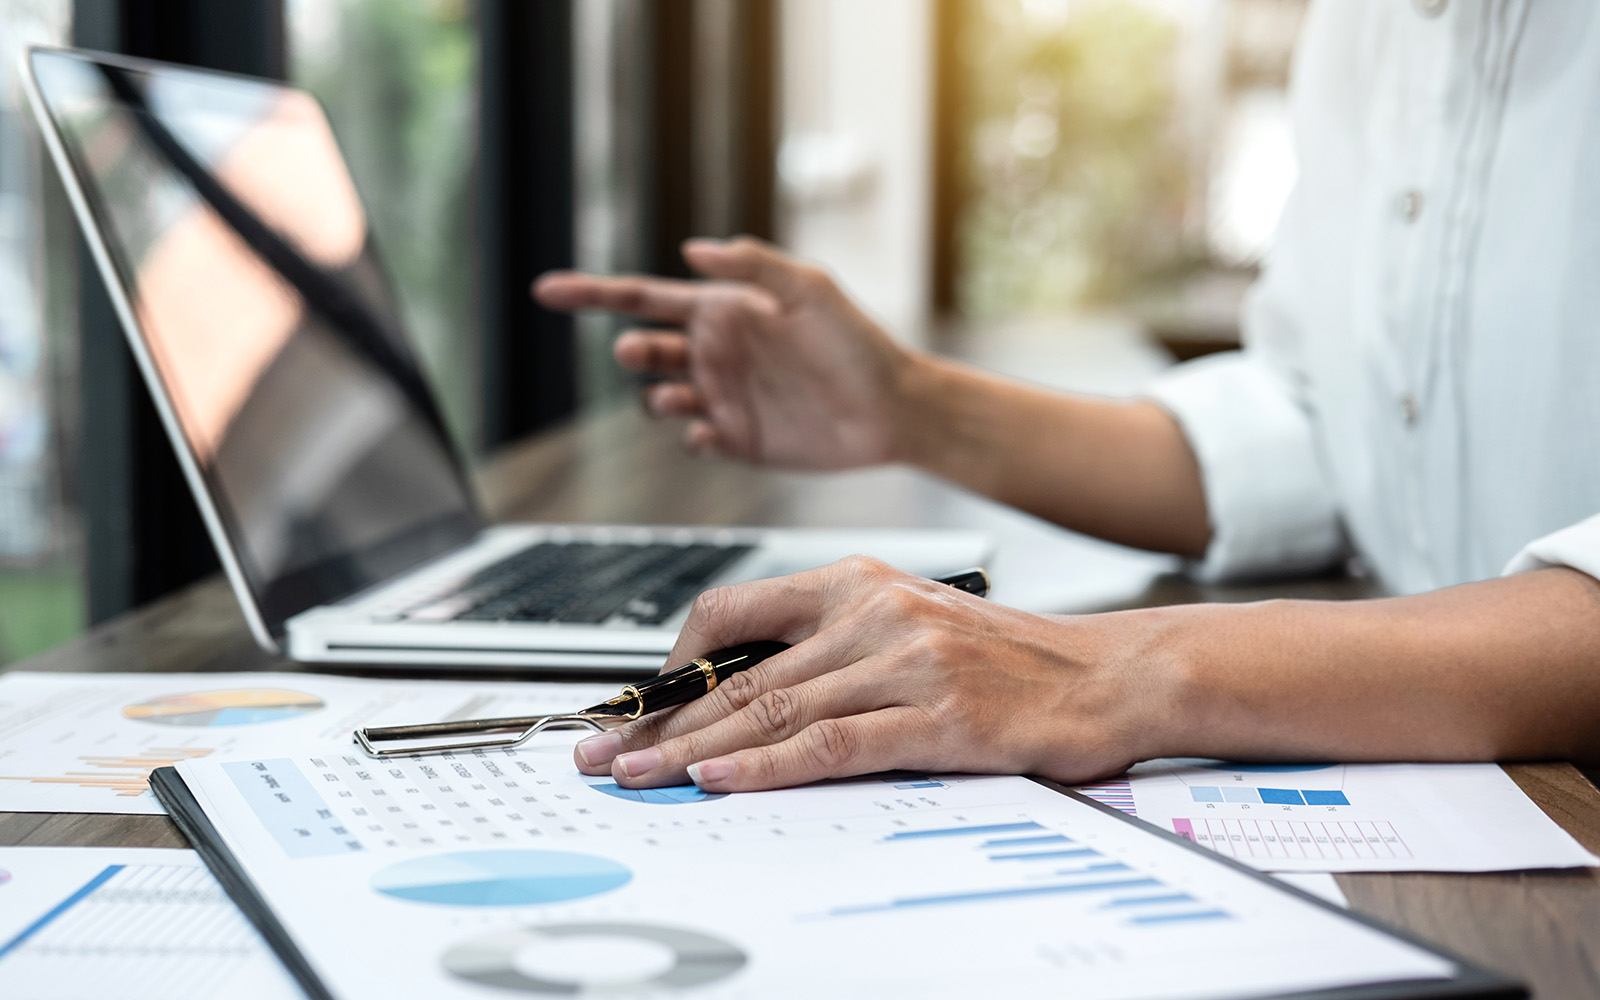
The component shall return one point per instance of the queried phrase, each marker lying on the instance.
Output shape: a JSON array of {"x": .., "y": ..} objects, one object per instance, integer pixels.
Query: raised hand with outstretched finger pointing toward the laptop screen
[{"x": 770, "y": 361}]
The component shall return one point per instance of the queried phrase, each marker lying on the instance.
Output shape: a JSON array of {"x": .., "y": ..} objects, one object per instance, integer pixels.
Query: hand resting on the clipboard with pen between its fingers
[{"x": 897, "y": 673}]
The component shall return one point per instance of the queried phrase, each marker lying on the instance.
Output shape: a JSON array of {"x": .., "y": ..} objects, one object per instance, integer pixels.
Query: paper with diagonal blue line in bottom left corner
[{"x": 134, "y": 924}]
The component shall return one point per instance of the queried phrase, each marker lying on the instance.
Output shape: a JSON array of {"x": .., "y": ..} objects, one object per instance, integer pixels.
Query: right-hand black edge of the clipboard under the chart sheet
[{"x": 1473, "y": 982}]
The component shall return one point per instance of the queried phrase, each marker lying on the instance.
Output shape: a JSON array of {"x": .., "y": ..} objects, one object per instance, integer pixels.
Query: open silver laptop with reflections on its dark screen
[{"x": 238, "y": 255}]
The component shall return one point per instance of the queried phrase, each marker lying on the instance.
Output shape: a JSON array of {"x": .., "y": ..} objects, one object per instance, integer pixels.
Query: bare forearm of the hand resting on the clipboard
[{"x": 1497, "y": 671}]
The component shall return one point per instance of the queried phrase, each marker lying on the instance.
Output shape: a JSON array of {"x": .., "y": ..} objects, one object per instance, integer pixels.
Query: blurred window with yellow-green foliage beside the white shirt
[{"x": 1116, "y": 153}]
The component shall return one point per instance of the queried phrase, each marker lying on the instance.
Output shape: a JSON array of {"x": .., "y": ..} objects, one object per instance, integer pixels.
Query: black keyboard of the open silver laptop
[{"x": 585, "y": 583}]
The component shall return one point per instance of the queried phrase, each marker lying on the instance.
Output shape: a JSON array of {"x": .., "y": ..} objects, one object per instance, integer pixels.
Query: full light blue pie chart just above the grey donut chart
[{"x": 502, "y": 878}]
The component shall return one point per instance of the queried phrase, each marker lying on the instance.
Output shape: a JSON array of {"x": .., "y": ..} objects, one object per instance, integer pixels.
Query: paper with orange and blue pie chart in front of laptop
[{"x": 87, "y": 743}]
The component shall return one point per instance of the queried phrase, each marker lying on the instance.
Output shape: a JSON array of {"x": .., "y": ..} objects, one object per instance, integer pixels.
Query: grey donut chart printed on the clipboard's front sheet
[{"x": 492, "y": 961}]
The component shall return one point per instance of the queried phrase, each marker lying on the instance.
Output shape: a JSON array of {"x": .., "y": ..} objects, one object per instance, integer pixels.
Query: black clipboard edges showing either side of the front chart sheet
[{"x": 1471, "y": 982}]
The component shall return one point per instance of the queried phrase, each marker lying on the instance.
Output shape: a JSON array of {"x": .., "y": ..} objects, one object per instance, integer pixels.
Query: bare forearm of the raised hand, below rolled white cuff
[{"x": 1118, "y": 471}]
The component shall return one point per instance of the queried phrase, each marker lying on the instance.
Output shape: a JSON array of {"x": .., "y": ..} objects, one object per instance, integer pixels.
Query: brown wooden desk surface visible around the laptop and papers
[{"x": 1543, "y": 927}]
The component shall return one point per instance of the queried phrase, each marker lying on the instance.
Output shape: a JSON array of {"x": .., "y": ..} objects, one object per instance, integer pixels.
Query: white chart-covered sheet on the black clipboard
[{"x": 508, "y": 870}]
